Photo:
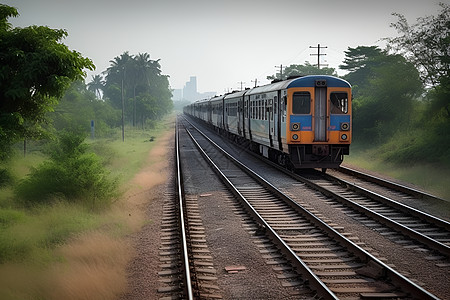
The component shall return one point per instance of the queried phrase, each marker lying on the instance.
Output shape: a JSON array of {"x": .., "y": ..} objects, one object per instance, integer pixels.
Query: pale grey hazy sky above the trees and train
[{"x": 220, "y": 42}]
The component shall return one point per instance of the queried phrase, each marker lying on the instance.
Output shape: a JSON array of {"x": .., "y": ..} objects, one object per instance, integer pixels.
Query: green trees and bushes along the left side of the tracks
[{"x": 44, "y": 100}]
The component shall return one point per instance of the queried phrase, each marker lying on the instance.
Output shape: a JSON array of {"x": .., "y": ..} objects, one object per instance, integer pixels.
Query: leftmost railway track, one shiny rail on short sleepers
[{"x": 187, "y": 268}]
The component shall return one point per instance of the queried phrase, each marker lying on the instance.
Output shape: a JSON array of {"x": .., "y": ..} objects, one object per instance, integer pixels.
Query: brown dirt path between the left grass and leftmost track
[{"x": 144, "y": 202}]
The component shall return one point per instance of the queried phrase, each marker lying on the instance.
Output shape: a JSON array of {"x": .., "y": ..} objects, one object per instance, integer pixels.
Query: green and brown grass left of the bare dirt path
[{"x": 67, "y": 251}]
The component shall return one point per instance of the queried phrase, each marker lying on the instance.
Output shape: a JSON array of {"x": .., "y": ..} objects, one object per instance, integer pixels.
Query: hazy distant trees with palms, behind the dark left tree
[{"x": 132, "y": 84}]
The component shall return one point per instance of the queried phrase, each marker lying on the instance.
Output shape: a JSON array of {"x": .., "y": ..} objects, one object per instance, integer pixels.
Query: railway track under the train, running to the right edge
[{"x": 381, "y": 207}]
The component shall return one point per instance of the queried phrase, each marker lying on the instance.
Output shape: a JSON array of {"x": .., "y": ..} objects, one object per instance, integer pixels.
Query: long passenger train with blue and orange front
[{"x": 303, "y": 122}]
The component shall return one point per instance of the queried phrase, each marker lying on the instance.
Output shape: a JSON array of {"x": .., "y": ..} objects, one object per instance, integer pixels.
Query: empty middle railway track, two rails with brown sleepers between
[{"x": 334, "y": 266}]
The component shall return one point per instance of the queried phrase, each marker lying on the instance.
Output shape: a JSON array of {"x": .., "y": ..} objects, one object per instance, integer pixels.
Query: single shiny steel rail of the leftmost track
[{"x": 185, "y": 254}]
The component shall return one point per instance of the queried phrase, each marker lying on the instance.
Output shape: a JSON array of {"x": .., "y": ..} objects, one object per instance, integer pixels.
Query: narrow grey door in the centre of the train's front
[{"x": 320, "y": 112}]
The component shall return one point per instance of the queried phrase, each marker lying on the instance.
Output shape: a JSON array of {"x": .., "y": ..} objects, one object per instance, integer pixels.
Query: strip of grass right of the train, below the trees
[{"x": 429, "y": 177}]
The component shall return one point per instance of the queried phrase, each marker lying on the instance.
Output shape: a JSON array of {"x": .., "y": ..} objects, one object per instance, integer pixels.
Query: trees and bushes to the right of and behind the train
[{"x": 401, "y": 94}]
